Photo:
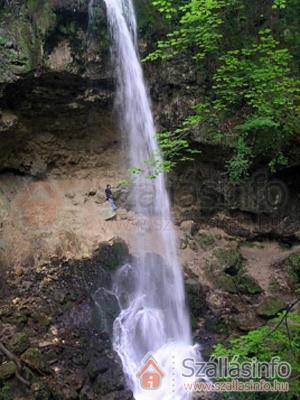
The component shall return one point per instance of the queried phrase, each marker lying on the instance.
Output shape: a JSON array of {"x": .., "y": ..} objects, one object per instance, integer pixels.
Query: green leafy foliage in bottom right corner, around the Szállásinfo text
[{"x": 279, "y": 339}]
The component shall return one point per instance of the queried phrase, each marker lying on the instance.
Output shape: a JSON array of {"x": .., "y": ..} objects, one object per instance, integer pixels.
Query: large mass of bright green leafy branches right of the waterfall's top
[{"x": 252, "y": 96}]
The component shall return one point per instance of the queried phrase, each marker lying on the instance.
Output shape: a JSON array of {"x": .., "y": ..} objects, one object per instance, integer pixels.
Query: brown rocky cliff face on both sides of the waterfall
[{"x": 60, "y": 146}]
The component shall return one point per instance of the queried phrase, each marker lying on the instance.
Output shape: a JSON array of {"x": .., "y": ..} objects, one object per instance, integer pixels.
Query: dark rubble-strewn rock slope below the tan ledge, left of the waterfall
[{"x": 52, "y": 320}]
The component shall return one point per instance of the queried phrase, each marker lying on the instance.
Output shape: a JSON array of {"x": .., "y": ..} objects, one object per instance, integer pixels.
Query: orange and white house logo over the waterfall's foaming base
[{"x": 150, "y": 375}]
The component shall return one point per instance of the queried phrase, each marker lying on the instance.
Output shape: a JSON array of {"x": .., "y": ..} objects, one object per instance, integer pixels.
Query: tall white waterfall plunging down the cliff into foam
[{"x": 154, "y": 318}]
